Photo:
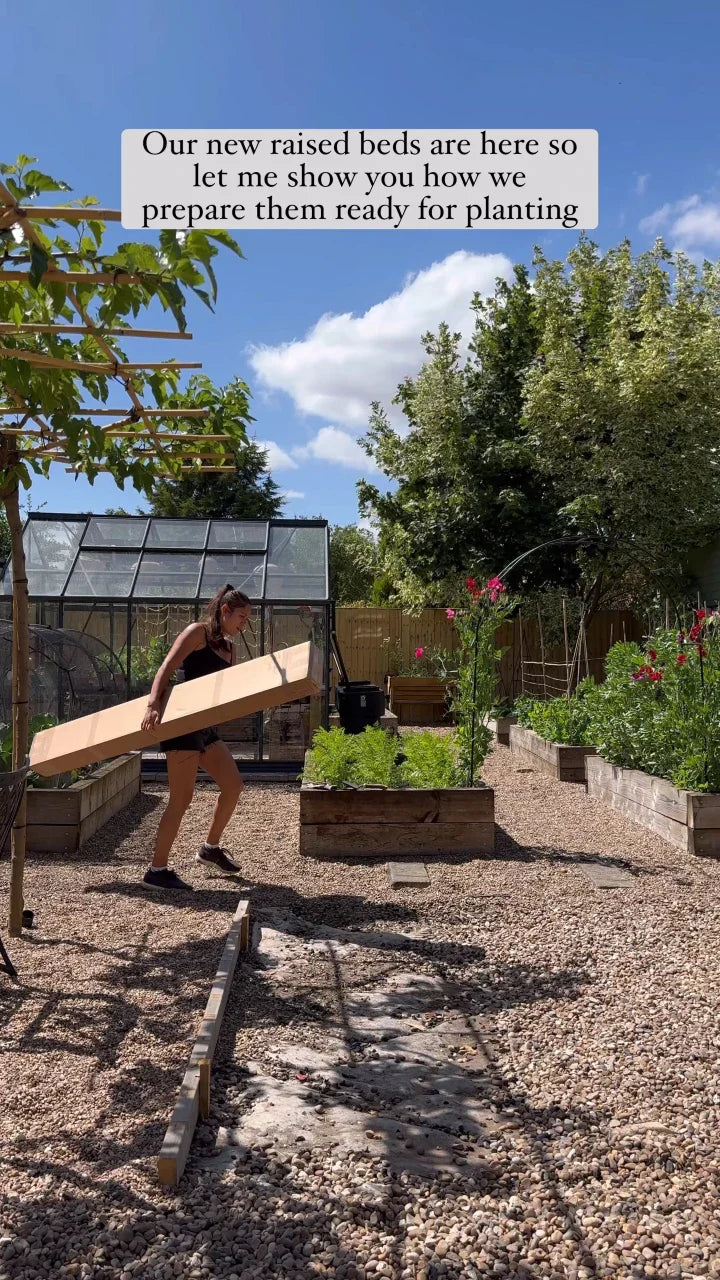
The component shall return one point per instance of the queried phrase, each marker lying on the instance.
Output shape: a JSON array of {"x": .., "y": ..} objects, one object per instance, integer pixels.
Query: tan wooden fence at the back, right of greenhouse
[{"x": 371, "y": 638}]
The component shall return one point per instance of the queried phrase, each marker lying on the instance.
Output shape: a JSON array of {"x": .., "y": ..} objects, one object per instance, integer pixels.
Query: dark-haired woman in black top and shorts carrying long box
[{"x": 200, "y": 650}]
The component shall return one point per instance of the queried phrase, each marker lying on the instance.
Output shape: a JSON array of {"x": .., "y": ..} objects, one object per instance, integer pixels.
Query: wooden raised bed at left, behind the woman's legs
[{"x": 62, "y": 821}]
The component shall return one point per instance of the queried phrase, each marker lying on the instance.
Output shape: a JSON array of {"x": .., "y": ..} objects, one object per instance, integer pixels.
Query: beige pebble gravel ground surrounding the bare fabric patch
[{"x": 596, "y": 1012}]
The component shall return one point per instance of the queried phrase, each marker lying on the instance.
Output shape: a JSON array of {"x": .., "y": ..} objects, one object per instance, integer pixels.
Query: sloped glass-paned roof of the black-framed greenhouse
[{"x": 160, "y": 560}]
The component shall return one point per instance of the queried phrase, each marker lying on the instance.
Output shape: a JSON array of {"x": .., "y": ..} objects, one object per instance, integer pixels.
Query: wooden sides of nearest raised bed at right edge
[{"x": 689, "y": 820}]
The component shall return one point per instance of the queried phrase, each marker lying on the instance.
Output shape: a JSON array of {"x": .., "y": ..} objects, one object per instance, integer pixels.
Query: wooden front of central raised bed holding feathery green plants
[{"x": 377, "y": 824}]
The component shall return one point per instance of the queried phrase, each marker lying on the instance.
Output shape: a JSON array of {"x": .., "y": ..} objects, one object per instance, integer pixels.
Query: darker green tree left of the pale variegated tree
[{"x": 467, "y": 487}]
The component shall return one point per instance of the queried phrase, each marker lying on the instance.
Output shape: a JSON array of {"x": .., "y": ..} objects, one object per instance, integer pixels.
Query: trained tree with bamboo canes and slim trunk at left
[{"x": 120, "y": 286}]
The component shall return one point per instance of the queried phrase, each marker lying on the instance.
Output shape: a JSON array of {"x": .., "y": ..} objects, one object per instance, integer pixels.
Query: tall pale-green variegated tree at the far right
[{"x": 623, "y": 410}]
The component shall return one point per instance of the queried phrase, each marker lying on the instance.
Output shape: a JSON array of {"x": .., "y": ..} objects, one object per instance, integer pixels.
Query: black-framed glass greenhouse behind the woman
[{"x": 110, "y": 595}]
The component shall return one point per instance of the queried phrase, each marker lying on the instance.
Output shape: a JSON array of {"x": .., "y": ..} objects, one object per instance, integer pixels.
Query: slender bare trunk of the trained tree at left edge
[{"x": 21, "y": 702}]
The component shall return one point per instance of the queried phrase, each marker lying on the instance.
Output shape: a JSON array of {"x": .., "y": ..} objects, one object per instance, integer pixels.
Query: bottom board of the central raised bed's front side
[{"x": 382, "y": 840}]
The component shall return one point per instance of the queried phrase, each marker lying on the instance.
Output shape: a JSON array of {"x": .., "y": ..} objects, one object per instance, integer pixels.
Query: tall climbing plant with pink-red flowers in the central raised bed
[{"x": 473, "y": 696}]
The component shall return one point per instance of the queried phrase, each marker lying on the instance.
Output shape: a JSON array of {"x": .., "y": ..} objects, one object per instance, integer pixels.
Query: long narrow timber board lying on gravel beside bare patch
[{"x": 179, "y": 1137}]
